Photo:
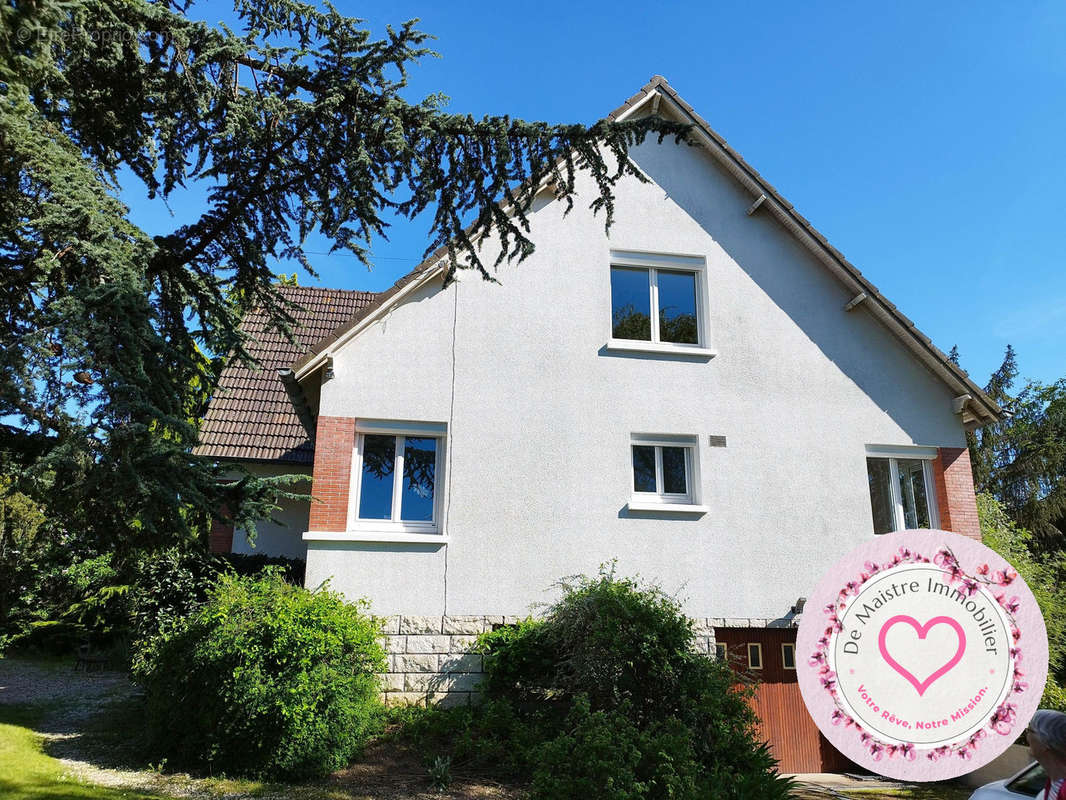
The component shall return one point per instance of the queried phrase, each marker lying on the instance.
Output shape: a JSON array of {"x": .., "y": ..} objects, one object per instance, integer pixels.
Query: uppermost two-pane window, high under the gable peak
[{"x": 656, "y": 303}]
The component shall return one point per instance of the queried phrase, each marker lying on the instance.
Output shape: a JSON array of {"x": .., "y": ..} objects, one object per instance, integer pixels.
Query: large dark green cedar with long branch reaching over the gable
[{"x": 294, "y": 124}]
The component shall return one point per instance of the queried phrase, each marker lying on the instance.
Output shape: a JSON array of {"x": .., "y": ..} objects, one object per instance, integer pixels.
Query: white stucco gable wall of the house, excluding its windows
[{"x": 540, "y": 418}]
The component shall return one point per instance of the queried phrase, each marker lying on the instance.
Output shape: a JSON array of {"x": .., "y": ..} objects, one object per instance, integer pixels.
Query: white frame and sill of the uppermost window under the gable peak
[{"x": 655, "y": 263}]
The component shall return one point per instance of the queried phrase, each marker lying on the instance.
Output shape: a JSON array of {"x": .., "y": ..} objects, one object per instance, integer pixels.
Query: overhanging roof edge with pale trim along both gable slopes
[{"x": 659, "y": 98}]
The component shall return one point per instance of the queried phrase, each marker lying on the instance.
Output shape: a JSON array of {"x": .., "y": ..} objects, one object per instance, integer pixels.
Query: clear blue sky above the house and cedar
[{"x": 925, "y": 141}]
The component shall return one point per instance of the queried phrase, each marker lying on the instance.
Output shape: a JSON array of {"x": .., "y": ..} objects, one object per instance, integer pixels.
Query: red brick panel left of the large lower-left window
[{"x": 334, "y": 441}]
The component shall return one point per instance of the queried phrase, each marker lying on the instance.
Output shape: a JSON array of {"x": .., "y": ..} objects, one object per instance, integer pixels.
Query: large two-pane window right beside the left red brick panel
[{"x": 396, "y": 477}]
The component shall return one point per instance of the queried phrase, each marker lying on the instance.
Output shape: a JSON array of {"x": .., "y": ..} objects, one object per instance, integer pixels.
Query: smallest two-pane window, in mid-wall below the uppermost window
[{"x": 666, "y": 474}]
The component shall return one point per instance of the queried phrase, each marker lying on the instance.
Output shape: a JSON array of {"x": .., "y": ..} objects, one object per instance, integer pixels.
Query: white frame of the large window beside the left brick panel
[{"x": 401, "y": 431}]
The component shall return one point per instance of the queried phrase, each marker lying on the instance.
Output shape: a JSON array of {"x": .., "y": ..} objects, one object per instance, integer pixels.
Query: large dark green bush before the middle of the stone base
[{"x": 606, "y": 696}]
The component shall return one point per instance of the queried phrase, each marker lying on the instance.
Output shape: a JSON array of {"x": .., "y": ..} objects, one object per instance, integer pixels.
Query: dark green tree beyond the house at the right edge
[{"x": 1022, "y": 461}]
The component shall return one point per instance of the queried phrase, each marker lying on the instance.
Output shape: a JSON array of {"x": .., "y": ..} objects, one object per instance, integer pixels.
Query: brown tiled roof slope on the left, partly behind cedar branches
[{"x": 252, "y": 415}]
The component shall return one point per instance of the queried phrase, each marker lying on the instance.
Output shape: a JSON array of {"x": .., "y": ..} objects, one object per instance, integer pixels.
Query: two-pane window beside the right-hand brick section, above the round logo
[{"x": 901, "y": 489}]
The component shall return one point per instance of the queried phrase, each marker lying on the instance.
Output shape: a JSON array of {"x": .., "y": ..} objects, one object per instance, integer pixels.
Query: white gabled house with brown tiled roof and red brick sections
[{"x": 708, "y": 394}]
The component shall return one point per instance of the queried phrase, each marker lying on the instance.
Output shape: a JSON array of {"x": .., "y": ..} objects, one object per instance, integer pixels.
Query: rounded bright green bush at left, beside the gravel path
[{"x": 265, "y": 680}]
